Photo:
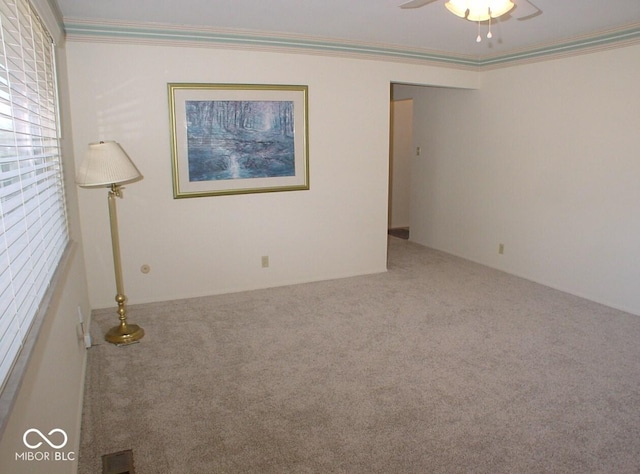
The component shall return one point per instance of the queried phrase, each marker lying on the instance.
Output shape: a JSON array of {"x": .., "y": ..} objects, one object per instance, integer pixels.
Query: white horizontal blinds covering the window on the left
[{"x": 33, "y": 222}]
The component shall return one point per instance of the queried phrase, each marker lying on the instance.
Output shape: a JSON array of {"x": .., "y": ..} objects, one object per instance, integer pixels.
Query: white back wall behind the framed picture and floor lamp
[{"x": 213, "y": 245}]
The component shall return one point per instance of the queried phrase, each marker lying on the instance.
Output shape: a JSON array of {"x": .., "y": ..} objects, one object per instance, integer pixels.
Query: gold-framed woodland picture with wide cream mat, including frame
[{"x": 238, "y": 138}]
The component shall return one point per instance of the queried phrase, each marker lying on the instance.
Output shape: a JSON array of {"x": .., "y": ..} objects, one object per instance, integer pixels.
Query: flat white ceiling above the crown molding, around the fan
[{"x": 377, "y": 22}]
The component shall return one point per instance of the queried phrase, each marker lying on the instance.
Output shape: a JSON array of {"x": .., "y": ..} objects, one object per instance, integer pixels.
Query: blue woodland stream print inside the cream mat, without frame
[{"x": 240, "y": 139}]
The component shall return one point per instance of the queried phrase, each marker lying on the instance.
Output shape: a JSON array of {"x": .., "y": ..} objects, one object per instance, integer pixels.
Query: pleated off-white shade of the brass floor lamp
[{"x": 106, "y": 163}]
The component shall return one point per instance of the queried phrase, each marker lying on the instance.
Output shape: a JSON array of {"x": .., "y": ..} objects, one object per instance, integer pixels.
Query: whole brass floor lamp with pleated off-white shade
[{"x": 106, "y": 164}]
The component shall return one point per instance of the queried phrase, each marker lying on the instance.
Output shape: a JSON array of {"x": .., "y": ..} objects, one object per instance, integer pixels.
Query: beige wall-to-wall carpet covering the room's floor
[{"x": 437, "y": 366}]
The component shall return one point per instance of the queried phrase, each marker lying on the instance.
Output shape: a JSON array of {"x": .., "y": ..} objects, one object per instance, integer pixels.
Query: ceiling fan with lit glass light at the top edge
[{"x": 520, "y": 9}]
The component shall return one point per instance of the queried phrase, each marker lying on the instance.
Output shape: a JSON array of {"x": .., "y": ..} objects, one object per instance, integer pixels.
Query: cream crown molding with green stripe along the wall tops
[{"x": 153, "y": 33}]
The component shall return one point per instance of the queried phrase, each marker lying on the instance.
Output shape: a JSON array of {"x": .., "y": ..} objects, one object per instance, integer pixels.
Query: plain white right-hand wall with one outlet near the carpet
[{"x": 543, "y": 158}]
